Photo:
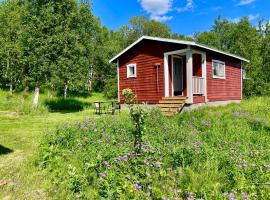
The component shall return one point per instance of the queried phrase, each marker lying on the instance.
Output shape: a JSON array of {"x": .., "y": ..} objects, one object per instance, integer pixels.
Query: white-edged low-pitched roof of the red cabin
[{"x": 189, "y": 43}]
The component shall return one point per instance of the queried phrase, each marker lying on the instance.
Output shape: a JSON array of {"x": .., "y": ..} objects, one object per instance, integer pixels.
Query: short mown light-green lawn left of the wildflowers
[{"x": 20, "y": 133}]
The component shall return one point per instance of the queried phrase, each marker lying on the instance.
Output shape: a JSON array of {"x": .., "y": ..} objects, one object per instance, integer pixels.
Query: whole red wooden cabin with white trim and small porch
[{"x": 155, "y": 68}]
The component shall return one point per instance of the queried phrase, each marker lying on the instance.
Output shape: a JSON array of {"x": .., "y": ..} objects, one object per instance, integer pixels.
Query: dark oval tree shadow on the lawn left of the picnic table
[{"x": 66, "y": 105}]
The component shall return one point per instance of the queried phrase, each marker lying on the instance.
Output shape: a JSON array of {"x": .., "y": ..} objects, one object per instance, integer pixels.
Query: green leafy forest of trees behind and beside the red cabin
[{"x": 61, "y": 46}]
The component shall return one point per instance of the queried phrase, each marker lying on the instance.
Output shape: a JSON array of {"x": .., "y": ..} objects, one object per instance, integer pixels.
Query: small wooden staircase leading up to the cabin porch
[{"x": 171, "y": 105}]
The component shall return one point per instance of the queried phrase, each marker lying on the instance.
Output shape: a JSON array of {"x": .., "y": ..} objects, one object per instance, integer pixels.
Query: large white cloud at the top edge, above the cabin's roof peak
[{"x": 157, "y": 9}]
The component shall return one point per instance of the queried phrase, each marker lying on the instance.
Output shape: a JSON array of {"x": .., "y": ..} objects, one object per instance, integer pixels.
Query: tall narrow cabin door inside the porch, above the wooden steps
[{"x": 177, "y": 76}]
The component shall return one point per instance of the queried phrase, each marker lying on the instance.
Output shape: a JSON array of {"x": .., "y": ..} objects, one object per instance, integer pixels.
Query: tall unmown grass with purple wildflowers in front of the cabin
[{"x": 212, "y": 153}]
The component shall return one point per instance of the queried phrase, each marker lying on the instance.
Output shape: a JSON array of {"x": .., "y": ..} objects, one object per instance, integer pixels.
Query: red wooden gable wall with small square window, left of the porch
[{"x": 146, "y": 54}]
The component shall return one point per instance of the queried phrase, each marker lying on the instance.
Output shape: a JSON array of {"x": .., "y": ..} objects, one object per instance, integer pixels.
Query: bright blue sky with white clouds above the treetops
[{"x": 183, "y": 16}]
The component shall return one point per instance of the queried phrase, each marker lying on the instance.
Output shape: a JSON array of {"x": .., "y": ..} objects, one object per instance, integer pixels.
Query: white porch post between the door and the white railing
[{"x": 189, "y": 70}]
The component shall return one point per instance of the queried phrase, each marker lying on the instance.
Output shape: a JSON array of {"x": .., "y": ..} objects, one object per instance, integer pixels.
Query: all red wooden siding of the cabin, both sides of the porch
[{"x": 150, "y": 89}]
